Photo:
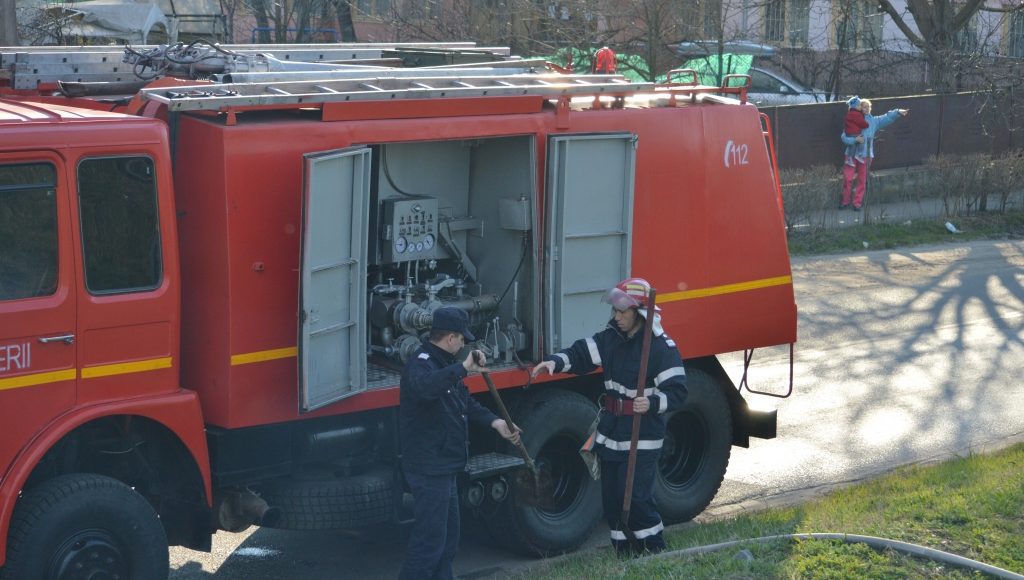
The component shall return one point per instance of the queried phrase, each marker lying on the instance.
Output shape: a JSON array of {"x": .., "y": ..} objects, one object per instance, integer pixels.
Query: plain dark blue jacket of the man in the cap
[{"x": 434, "y": 412}]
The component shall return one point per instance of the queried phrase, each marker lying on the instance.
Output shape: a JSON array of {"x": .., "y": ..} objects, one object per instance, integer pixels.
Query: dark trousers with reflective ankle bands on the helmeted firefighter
[{"x": 646, "y": 523}]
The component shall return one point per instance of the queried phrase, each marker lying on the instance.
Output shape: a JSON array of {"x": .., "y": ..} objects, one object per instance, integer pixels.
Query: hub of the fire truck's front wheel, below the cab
[{"x": 91, "y": 555}]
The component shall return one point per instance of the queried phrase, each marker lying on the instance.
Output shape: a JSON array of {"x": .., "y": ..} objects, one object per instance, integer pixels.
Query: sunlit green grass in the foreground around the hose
[{"x": 971, "y": 507}]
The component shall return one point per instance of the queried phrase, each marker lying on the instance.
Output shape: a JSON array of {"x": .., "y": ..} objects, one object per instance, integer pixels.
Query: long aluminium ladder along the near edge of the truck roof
[{"x": 386, "y": 88}]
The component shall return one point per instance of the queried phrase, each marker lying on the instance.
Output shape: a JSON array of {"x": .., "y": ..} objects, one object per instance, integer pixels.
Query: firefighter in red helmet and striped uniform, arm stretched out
[{"x": 617, "y": 350}]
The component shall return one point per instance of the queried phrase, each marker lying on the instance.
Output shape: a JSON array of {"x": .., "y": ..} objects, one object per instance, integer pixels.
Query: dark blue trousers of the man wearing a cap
[{"x": 436, "y": 533}]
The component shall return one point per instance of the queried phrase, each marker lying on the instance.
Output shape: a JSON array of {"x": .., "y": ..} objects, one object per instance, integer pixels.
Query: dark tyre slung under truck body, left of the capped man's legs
[{"x": 329, "y": 503}]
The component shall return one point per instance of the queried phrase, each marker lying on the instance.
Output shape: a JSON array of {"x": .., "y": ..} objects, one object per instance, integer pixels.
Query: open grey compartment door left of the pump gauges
[{"x": 332, "y": 305}]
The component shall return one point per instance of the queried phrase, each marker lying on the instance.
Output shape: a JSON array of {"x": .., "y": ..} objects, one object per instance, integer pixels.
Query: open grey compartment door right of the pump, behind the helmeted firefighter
[{"x": 590, "y": 231}]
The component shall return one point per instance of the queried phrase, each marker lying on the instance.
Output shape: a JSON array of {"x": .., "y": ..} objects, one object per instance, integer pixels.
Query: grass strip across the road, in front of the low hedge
[{"x": 987, "y": 226}]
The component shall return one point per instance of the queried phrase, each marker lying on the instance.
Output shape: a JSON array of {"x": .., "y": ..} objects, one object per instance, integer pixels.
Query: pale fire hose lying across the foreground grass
[{"x": 878, "y": 544}]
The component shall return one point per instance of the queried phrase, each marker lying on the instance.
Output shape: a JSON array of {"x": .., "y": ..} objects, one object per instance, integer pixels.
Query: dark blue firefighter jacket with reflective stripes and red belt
[{"x": 620, "y": 359}]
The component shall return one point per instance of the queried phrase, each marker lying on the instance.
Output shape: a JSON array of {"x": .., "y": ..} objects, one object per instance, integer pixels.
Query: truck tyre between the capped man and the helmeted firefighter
[{"x": 554, "y": 427}]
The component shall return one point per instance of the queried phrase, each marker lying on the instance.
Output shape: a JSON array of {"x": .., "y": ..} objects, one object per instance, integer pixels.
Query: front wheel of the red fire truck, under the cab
[{"x": 86, "y": 526}]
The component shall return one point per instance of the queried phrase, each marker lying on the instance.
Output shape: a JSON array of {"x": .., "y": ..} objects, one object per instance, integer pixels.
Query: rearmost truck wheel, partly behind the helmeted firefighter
[{"x": 698, "y": 444}]
